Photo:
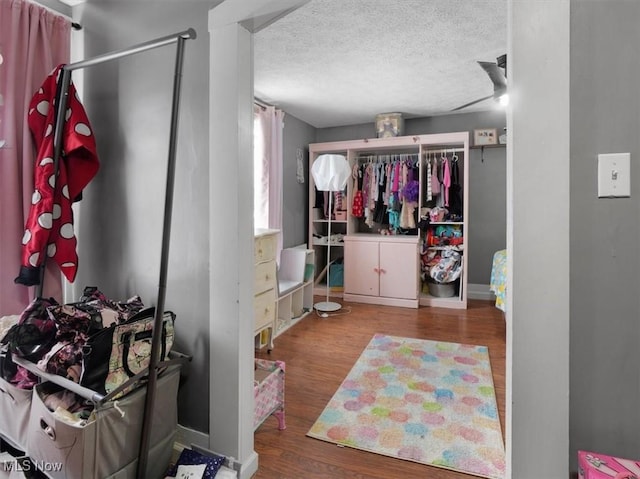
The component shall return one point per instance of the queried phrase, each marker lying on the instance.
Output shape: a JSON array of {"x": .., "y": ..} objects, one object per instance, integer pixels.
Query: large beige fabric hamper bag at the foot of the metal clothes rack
[{"x": 109, "y": 442}]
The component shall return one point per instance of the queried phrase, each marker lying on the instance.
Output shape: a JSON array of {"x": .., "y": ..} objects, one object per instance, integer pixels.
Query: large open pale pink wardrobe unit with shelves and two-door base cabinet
[{"x": 388, "y": 269}]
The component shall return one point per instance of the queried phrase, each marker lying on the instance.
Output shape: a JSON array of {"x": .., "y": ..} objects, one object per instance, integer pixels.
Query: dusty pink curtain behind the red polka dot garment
[{"x": 33, "y": 41}]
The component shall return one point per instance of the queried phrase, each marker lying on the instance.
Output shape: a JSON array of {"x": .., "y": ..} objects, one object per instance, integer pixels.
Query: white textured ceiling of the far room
[{"x": 342, "y": 62}]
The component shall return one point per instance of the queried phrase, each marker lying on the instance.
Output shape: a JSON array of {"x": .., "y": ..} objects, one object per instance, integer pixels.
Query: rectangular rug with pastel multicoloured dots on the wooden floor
[{"x": 425, "y": 401}]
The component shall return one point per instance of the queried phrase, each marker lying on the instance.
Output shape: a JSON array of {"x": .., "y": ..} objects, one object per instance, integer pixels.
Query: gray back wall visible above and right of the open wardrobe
[{"x": 487, "y": 180}]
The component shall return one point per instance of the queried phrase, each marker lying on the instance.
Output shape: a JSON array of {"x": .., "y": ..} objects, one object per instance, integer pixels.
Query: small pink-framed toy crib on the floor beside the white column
[{"x": 268, "y": 392}]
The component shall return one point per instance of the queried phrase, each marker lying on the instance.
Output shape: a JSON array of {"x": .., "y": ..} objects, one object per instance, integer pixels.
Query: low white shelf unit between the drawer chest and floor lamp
[{"x": 295, "y": 279}]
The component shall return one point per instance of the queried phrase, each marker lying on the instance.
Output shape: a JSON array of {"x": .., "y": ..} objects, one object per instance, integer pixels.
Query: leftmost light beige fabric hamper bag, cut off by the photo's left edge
[{"x": 15, "y": 408}]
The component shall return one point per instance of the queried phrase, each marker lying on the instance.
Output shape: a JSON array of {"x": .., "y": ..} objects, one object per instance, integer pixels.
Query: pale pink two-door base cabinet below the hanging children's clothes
[{"x": 380, "y": 271}]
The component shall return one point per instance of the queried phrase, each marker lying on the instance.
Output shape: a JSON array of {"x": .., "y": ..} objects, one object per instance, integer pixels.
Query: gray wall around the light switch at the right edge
[{"x": 605, "y": 233}]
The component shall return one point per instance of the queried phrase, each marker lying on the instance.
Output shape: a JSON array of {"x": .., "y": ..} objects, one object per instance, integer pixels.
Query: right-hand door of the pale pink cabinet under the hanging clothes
[{"x": 399, "y": 270}]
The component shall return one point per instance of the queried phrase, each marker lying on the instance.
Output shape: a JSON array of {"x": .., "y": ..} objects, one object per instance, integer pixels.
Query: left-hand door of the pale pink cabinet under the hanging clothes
[{"x": 361, "y": 268}]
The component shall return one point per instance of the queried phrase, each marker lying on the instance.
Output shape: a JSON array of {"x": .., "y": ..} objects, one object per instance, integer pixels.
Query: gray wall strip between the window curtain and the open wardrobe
[{"x": 295, "y": 211}]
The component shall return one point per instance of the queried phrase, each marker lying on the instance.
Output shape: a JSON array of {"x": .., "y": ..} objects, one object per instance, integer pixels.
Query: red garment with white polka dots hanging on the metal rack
[{"x": 49, "y": 227}]
